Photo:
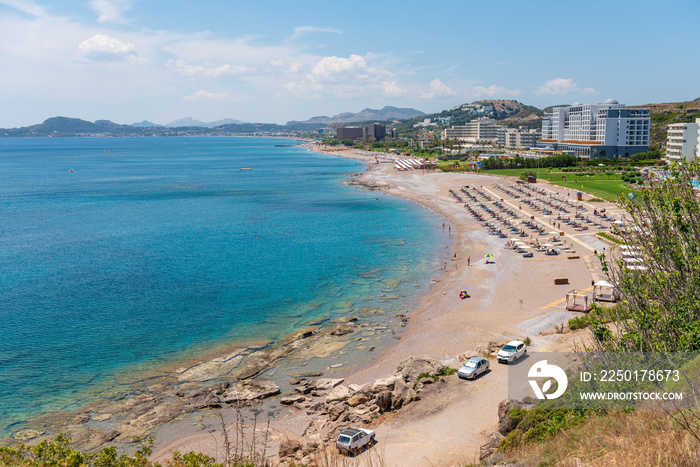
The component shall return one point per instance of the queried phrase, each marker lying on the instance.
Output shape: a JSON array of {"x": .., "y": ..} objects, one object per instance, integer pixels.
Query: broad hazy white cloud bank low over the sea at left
[{"x": 85, "y": 69}]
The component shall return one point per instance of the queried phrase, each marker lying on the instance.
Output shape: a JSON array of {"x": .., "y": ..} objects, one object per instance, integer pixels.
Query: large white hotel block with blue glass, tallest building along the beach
[{"x": 596, "y": 130}]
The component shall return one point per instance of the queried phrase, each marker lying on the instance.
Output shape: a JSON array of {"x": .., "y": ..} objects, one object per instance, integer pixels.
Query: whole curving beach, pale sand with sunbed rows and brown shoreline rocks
[{"x": 352, "y": 352}]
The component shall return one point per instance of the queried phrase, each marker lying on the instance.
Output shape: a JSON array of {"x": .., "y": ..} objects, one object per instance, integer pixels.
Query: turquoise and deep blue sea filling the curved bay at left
[{"x": 124, "y": 253}]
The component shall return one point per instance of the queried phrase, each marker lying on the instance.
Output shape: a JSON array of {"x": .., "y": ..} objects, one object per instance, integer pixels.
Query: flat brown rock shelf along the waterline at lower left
[{"x": 227, "y": 380}]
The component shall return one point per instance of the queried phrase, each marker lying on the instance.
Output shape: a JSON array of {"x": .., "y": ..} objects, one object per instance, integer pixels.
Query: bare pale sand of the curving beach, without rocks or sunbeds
[{"x": 511, "y": 298}]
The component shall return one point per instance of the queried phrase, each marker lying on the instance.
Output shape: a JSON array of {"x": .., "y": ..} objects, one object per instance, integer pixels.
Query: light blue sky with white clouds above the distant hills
[{"x": 274, "y": 61}]
